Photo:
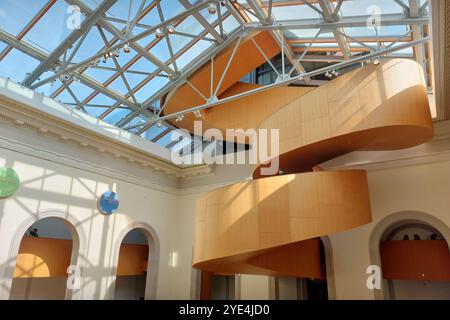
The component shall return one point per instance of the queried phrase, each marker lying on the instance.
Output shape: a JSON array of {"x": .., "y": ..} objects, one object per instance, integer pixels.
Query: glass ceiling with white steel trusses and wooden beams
[{"x": 158, "y": 42}]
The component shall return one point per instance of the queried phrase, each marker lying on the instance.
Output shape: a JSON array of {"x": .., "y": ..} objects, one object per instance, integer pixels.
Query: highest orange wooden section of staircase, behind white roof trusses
[{"x": 246, "y": 59}]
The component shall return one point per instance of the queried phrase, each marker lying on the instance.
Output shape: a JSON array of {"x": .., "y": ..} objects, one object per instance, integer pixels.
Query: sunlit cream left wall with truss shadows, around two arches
[{"x": 63, "y": 187}]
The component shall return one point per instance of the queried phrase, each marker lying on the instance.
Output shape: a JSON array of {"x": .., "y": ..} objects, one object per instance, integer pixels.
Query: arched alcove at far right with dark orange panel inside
[{"x": 392, "y": 241}]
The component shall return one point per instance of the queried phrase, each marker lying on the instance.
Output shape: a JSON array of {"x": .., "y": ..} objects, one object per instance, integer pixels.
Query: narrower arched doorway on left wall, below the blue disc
[{"x": 137, "y": 265}]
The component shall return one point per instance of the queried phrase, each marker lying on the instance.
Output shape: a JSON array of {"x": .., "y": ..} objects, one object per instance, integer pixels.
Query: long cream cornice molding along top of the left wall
[{"x": 17, "y": 106}]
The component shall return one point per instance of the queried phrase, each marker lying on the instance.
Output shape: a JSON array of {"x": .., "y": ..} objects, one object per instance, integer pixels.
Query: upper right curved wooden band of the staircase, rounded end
[{"x": 381, "y": 107}]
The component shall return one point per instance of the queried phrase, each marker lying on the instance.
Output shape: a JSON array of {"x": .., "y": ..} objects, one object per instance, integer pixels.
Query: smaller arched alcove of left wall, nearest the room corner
[{"x": 144, "y": 236}]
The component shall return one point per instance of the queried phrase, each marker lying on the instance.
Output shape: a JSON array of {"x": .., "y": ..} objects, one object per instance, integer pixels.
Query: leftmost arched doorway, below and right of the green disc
[{"x": 47, "y": 249}]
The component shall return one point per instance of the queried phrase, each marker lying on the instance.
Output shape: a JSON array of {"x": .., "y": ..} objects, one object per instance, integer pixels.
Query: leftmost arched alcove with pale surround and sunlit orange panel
[{"x": 40, "y": 255}]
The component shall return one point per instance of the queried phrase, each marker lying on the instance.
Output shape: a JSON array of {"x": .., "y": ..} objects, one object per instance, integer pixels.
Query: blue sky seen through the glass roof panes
[{"x": 51, "y": 30}]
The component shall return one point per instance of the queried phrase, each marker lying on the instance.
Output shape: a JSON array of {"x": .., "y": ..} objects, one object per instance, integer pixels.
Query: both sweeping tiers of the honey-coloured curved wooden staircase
[{"x": 270, "y": 225}]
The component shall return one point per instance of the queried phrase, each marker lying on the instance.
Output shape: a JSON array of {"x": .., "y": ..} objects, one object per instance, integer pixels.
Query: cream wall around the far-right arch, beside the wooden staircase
[{"x": 420, "y": 188}]
